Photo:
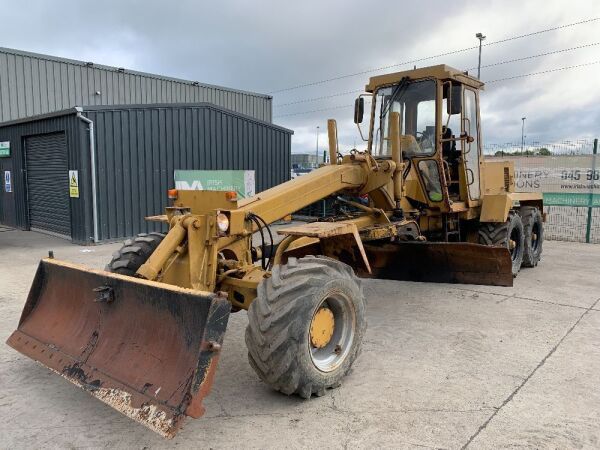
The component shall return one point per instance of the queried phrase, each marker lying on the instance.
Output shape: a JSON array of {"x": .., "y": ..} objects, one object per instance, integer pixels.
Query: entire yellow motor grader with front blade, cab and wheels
[{"x": 145, "y": 335}]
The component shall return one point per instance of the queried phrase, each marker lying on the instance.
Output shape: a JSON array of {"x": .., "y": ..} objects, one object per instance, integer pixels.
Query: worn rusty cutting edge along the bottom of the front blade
[{"x": 150, "y": 414}]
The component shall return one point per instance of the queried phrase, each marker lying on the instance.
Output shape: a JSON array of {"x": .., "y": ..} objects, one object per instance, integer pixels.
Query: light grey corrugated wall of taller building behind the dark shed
[{"x": 32, "y": 84}]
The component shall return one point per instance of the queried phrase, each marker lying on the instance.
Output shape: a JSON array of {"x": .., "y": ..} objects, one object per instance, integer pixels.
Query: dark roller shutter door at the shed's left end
[{"x": 47, "y": 183}]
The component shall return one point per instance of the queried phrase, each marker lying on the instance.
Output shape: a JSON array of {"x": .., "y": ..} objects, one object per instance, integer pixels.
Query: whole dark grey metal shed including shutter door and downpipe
[{"x": 125, "y": 157}]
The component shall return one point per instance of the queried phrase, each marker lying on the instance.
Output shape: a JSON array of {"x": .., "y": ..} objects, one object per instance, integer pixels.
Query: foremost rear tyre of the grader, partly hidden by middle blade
[{"x": 508, "y": 234}]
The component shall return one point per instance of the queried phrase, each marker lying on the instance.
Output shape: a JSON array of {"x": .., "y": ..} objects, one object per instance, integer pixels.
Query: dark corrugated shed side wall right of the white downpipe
[{"x": 138, "y": 149}]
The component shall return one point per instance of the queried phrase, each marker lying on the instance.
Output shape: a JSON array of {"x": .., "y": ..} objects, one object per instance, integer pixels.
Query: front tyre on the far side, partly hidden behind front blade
[{"x": 134, "y": 252}]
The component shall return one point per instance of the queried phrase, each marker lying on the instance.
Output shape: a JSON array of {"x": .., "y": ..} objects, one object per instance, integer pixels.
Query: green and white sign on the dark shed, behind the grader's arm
[{"x": 240, "y": 181}]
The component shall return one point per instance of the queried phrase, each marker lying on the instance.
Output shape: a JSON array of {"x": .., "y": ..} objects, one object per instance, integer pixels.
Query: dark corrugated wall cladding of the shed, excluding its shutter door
[{"x": 138, "y": 148}]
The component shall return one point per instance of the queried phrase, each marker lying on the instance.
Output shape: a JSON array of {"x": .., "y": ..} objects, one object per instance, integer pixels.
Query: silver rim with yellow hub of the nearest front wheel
[{"x": 329, "y": 352}]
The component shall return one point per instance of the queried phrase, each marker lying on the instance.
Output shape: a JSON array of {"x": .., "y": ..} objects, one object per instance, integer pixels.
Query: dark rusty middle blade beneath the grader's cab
[{"x": 442, "y": 262}]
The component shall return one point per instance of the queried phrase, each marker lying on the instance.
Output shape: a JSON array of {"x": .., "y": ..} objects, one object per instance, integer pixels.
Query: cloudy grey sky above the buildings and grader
[{"x": 269, "y": 46}]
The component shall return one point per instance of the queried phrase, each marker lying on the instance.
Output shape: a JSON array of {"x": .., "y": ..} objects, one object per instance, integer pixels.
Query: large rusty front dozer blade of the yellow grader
[{"x": 148, "y": 350}]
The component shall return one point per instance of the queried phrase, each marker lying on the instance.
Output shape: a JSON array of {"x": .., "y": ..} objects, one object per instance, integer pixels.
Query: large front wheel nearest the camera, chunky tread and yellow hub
[{"x": 279, "y": 336}]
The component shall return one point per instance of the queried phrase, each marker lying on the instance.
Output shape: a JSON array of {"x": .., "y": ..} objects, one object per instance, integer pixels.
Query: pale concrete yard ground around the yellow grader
[{"x": 443, "y": 366}]
